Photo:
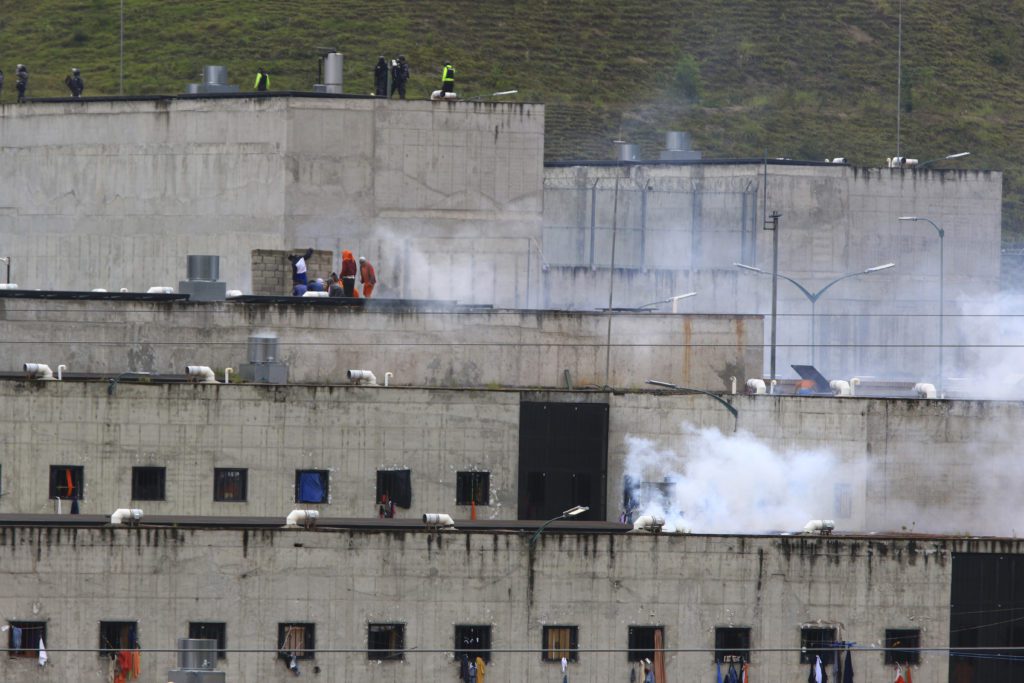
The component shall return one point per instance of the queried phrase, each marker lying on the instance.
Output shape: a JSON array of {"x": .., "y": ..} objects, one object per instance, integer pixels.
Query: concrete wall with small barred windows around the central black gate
[{"x": 918, "y": 465}]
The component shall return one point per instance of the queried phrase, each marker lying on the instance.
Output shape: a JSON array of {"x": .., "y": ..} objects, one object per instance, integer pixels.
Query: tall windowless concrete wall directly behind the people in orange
[{"x": 445, "y": 198}]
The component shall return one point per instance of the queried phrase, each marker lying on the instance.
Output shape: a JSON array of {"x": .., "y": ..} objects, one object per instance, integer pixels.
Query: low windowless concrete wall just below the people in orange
[{"x": 431, "y": 346}]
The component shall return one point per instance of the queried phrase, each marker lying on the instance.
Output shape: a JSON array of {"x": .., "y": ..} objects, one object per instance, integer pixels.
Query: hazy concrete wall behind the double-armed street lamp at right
[{"x": 681, "y": 228}]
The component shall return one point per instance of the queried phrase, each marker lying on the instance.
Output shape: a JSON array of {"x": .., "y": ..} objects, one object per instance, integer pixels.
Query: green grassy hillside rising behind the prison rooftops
[{"x": 806, "y": 79}]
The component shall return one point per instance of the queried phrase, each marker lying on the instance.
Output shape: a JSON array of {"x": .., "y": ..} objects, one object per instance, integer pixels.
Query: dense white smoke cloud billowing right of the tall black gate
[{"x": 735, "y": 484}]
